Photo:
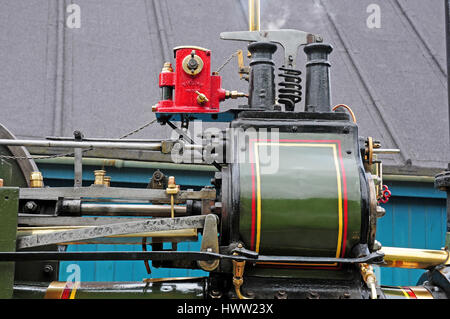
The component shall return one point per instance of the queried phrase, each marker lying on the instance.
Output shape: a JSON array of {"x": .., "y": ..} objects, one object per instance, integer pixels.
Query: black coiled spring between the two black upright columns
[{"x": 290, "y": 91}]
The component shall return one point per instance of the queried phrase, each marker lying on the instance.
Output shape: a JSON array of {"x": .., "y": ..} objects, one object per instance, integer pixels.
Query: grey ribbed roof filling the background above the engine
[{"x": 103, "y": 78}]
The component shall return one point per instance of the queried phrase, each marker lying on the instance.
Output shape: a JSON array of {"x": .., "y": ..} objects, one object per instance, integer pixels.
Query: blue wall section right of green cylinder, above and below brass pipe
[{"x": 415, "y": 218}]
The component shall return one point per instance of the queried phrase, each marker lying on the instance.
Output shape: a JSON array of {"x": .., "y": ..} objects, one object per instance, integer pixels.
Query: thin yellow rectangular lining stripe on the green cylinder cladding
[{"x": 258, "y": 186}]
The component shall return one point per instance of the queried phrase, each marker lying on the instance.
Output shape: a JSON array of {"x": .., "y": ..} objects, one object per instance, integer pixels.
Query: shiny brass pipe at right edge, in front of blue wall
[{"x": 414, "y": 258}]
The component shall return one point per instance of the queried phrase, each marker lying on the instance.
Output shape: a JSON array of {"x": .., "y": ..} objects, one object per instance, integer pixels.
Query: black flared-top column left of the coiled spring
[{"x": 262, "y": 76}]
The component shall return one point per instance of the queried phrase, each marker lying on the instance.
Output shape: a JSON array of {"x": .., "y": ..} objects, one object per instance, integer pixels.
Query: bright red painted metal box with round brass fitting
[{"x": 196, "y": 89}]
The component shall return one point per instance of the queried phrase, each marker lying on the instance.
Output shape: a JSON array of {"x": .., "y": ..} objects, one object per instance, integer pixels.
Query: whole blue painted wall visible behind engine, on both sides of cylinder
[{"x": 415, "y": 218}]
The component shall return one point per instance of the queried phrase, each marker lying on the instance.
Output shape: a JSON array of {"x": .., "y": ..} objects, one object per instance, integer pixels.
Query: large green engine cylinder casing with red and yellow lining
[{"x": 300, "y": 190}]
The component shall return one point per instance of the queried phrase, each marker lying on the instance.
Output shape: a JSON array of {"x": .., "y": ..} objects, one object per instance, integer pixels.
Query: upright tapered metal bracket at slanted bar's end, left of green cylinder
[{"x": 210, "y": 242}]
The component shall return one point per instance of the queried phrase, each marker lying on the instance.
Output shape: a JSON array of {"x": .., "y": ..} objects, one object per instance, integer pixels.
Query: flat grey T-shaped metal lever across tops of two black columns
[{"x": 289, "y": 39}]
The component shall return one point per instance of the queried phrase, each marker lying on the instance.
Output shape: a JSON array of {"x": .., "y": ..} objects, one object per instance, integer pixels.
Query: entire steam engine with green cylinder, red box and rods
[{"x": 290, "y": 213}]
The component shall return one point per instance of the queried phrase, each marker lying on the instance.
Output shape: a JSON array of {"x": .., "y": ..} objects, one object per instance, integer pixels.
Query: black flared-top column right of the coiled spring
[{"x": 318, "y": 89}]
